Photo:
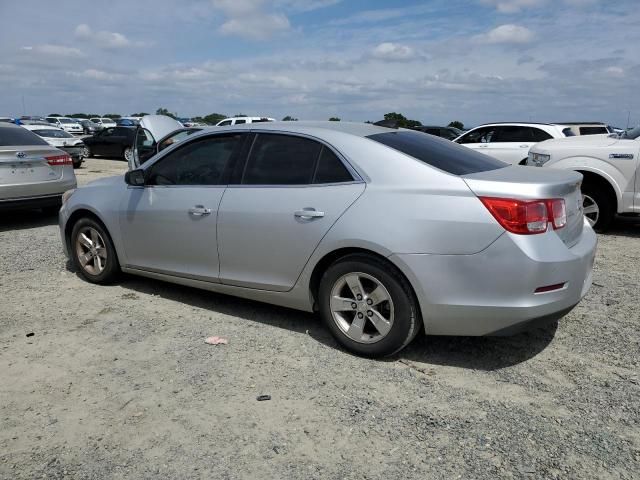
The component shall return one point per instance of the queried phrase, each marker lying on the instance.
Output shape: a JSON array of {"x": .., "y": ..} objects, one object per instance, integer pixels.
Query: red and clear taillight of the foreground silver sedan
[{"x": 527, "y": 217}]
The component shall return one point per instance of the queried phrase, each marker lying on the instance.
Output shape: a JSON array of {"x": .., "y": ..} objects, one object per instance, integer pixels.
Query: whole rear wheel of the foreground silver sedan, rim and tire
[{"x": 368, "y": 306}]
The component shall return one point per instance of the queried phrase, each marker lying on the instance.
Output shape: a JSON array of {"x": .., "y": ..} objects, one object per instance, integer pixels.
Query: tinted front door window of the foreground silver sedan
[{"x": 201, "y": 162}]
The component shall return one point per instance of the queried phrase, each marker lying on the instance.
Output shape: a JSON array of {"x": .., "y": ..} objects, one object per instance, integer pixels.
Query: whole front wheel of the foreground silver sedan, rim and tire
[{"x": 92, "y": 252}]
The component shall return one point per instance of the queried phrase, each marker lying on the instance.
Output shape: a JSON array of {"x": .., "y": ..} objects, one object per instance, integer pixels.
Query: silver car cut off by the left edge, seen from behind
[{"x": 32, "y": 173}]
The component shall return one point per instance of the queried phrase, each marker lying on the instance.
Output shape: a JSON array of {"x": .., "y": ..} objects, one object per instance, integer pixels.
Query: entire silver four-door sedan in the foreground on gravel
[{"x": 382, "y": 231}]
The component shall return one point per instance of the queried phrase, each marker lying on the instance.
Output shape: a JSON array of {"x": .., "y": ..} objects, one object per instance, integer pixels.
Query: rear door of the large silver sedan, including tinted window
[{"x": 291, "y": 191}]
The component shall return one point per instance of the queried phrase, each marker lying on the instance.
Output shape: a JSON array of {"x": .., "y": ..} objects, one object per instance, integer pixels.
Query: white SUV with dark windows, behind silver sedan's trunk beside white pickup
[{"x": 510, "y": 142}]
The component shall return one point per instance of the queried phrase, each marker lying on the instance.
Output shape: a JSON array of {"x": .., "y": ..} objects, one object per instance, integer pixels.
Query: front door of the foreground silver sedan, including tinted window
[{"x": 169, "y": 225}]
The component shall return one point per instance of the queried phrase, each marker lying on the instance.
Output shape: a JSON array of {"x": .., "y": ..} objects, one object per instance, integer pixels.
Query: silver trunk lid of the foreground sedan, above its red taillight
[{"x": 530, "y": 183}]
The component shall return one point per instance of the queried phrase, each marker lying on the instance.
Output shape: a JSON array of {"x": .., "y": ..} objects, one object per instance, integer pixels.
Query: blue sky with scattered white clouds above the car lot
[{"x": 475, "y": 61}]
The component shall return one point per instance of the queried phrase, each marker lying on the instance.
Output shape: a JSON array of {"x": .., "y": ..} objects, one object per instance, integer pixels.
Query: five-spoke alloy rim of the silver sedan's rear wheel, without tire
[{"x": 362, "y": 307}]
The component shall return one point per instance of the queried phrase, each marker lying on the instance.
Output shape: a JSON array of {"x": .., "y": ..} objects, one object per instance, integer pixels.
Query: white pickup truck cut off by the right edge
[{"x": 609, "y": 165}]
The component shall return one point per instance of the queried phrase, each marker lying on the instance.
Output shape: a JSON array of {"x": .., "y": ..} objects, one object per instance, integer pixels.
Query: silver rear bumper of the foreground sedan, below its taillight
[{"x": 492, "y": 292}]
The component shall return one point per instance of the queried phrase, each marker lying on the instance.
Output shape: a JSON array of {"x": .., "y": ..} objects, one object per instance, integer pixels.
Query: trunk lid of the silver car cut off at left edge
[{"x": 28, "y": 164}]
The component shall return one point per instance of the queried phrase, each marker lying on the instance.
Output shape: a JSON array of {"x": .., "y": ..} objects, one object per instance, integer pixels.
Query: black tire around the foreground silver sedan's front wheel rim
[{"x": 111, "y": 268}]
